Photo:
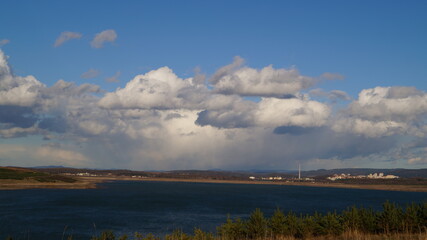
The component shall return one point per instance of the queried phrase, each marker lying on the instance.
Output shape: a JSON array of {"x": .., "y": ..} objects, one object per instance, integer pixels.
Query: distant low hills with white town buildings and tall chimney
[{"x": 350, "y": 175}]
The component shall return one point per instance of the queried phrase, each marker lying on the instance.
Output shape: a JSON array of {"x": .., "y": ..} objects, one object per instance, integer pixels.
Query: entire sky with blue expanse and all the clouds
[{"x": 233, "y": 85}]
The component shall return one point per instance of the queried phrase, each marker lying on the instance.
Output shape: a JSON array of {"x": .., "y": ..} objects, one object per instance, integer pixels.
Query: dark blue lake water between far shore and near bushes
[{"x": 160, "y": 207}]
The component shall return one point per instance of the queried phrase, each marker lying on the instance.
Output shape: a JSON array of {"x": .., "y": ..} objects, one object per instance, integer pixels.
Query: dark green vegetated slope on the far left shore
[{"x": 24, "y": 174}]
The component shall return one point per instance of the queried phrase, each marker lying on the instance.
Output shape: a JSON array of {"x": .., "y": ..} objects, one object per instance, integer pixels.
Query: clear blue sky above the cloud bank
[{"x": 371, "y": 43}]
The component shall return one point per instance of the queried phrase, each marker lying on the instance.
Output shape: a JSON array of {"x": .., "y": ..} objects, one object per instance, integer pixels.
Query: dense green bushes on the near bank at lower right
[{"x": 391, "y": 220}]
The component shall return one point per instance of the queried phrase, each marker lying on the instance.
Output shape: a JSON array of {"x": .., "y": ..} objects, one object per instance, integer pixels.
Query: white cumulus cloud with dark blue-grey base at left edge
[{"x": 28, "y": 107}]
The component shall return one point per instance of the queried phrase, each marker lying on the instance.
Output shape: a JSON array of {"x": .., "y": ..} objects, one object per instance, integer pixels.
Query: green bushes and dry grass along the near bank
[{"x": 392, "y": 222}]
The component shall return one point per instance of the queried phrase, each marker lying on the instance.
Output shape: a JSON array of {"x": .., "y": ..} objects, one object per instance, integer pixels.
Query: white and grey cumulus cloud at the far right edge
[{"x": 385, "y": 111}]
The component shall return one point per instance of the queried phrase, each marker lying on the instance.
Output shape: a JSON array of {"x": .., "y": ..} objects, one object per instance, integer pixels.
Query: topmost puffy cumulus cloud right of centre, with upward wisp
[{"x": 268, "y": 82}]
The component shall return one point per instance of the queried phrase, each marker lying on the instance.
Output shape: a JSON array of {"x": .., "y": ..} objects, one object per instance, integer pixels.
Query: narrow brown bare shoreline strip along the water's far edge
[{"x": 92, "y": 182}]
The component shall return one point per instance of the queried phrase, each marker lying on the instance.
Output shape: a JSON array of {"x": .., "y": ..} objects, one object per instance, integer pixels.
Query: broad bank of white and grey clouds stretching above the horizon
[{"x": 159, "y": 120}]
